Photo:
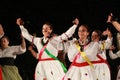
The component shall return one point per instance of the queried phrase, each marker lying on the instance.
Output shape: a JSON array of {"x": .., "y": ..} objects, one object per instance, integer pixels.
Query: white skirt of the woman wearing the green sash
[{"x": 49, "y": 70}]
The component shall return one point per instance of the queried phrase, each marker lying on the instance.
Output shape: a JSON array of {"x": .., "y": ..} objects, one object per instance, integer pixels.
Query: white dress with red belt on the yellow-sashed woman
[{"x": 80, "y": 69}]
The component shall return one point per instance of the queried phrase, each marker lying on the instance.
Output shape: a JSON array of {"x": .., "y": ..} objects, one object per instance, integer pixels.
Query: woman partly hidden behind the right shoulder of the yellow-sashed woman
[{"x": 103, "y": 68}]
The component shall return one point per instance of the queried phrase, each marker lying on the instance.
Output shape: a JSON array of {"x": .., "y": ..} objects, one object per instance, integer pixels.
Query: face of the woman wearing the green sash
[{"x": 47, "y": 30}]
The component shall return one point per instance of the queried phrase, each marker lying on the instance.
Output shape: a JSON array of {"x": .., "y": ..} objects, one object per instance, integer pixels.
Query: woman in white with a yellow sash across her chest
[{"x": 83, "y": 55}]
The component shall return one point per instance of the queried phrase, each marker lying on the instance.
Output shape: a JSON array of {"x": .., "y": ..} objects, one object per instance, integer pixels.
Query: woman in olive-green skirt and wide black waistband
[{"x": 7, "y": 56}]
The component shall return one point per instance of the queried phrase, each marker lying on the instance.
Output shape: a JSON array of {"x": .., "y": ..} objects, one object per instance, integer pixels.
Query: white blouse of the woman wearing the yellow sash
[{"x": 91, "y": 50}]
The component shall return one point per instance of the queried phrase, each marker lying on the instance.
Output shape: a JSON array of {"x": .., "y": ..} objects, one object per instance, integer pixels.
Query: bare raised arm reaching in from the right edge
[{"x": 114, "y": 23}]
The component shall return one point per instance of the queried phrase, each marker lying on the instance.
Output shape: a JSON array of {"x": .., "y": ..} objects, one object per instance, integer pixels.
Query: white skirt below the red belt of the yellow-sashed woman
[{"x": 100, "y": 72}]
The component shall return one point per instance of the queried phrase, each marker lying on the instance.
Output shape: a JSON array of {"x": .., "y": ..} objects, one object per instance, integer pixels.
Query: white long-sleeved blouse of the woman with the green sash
[{"x": 52, "y": 44}]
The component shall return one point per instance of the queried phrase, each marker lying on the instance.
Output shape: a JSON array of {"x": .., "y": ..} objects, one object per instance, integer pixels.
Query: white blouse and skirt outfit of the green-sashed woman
[{"x": 47, "y": 68}]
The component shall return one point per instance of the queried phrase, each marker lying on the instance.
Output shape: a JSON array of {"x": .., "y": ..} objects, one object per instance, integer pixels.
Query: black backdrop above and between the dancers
[{"x": 60, "y": 13}]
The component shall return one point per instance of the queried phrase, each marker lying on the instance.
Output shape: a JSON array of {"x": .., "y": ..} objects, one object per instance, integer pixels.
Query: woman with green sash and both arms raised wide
[{"x": 48, "y": 66}]
